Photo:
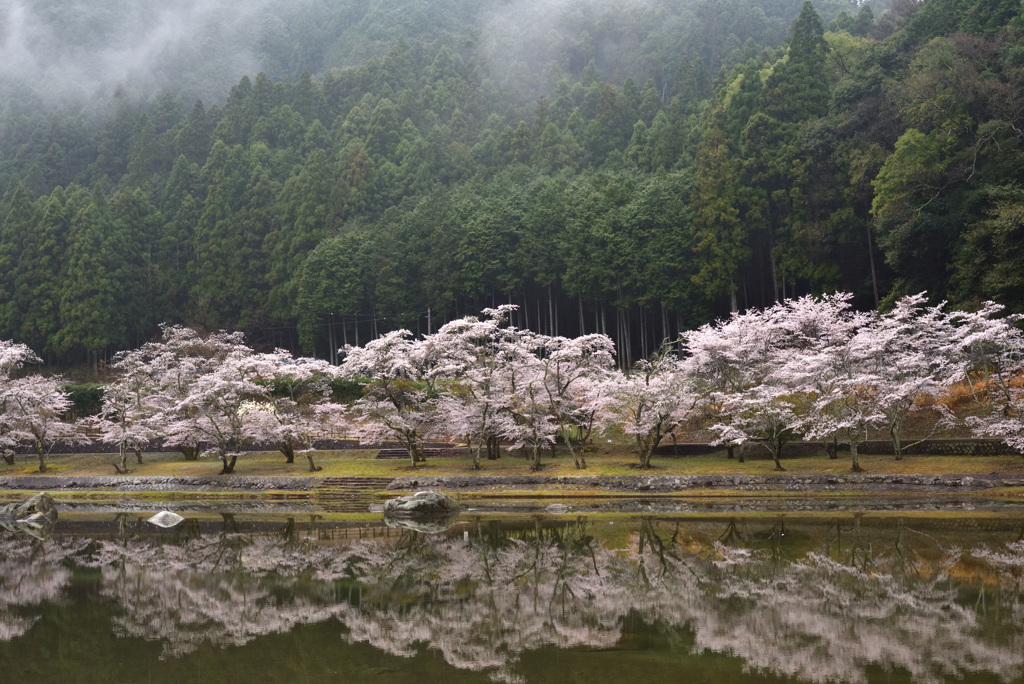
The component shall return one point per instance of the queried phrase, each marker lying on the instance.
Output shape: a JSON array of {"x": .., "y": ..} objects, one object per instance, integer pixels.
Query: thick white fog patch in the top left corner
[{"x": 87, "y": 48}]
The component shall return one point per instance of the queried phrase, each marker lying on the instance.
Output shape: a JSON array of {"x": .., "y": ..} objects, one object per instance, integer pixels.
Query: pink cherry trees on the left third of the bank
[{"x": 202, "y": 395}]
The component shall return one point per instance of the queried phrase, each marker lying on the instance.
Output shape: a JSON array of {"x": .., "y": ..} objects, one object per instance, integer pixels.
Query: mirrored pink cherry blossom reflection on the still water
[{"x": 816, "y": 600}]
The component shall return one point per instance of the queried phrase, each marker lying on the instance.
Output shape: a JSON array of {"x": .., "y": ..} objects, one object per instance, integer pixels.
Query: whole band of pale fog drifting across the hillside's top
[{"x": 203, "y": 48}]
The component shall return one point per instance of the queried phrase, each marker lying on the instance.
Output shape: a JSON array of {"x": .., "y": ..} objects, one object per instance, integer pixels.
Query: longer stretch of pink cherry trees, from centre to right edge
[{"x": 812, "y": 368}]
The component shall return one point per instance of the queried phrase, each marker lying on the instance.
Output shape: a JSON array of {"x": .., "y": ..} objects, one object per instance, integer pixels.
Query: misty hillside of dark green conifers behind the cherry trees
[{"x": 320, "y": 172}]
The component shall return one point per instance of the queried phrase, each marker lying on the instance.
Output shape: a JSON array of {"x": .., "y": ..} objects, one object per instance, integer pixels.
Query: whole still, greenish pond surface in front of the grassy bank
[{"x": 841, "y": 596}]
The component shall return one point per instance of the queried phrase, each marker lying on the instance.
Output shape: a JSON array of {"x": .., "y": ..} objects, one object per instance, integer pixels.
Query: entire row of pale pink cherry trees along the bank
[{"x": 809, "y": 368}]
